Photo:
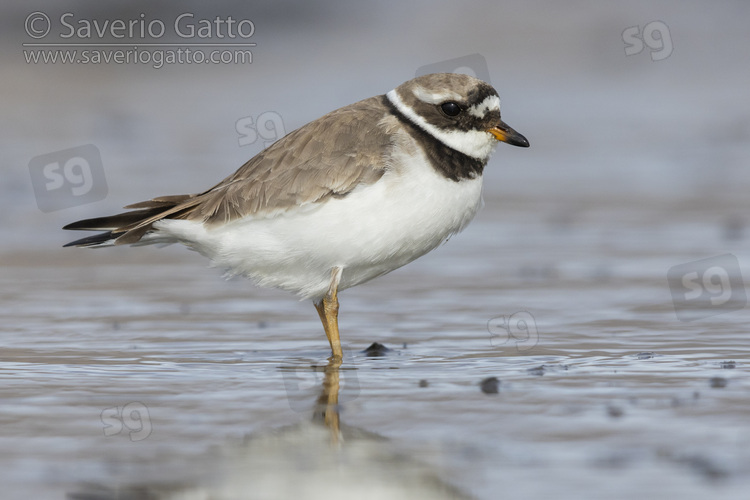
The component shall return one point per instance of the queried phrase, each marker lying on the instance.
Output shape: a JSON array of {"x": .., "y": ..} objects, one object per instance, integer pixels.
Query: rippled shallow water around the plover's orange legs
[{"x": 615, "y": 397}]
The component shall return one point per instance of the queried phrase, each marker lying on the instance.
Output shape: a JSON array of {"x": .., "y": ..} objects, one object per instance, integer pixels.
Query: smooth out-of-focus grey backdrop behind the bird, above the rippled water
[{"x": 667, "y": 126}]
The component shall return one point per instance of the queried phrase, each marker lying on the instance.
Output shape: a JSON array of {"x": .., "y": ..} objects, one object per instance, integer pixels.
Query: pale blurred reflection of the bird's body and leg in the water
[{"x": 319, "y": 457}]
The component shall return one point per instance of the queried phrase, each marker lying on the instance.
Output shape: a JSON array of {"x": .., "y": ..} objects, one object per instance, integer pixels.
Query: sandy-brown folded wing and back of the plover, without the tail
[{"x": 325, "y": 158}]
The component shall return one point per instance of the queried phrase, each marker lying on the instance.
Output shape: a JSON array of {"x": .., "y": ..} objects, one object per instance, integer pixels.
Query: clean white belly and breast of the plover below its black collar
[{"x": 373, "y": 230}]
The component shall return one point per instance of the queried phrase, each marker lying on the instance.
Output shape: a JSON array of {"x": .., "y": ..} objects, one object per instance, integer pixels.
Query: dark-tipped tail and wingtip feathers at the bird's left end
[{"x": 130, "y": 227}]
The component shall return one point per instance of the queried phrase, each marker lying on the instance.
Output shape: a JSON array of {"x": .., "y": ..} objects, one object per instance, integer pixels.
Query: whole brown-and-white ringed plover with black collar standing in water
[{"x": 348, "y": 197}]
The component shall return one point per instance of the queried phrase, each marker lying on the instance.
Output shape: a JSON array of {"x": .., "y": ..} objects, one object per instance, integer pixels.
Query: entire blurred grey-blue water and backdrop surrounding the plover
[{"x": 639, "y": 122}]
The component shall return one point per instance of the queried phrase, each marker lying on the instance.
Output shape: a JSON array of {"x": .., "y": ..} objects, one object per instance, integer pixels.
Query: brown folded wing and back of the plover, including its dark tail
[{"x": 326, "y": 158}]
